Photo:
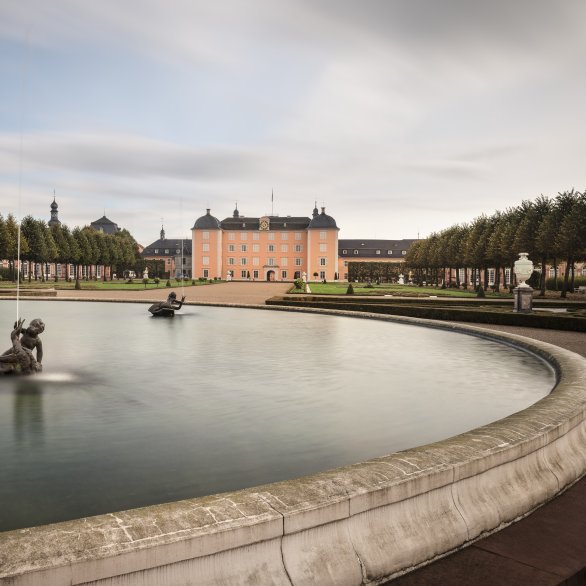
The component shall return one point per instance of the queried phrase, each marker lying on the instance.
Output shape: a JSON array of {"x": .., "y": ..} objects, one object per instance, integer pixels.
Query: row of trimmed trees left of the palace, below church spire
[{"x": 41, "y": 244}]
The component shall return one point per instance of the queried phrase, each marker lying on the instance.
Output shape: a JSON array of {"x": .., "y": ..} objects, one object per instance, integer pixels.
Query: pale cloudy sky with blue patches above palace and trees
[{"x": 401, "y": 117}]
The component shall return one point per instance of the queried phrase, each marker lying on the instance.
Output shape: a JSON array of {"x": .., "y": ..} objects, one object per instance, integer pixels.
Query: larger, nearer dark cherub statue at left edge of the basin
[{"x": 20, "y": 359}]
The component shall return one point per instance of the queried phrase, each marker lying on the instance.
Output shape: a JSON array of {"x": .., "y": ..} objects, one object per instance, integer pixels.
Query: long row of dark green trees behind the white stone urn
[{"x": 551, "y": 230}]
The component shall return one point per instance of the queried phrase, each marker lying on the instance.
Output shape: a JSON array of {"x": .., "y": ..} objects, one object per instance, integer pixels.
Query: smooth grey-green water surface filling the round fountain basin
[{"x": 132, "y": 410}]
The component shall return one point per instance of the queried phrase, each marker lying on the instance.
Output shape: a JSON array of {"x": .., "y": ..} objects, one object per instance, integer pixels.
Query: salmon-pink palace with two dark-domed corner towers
[{"x": 266, "y": 248}]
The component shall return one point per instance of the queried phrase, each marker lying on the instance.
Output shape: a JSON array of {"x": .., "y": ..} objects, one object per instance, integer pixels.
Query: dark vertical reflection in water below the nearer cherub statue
[{"x": 28, "y": 412}]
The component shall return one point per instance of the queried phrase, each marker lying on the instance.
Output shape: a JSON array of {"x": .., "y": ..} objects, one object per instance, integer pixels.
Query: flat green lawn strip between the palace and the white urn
[{"x": 394, "y": 289}]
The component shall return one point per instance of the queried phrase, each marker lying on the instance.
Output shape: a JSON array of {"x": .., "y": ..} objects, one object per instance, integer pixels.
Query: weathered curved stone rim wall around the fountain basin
[{"x": 360, "y": 524}]
